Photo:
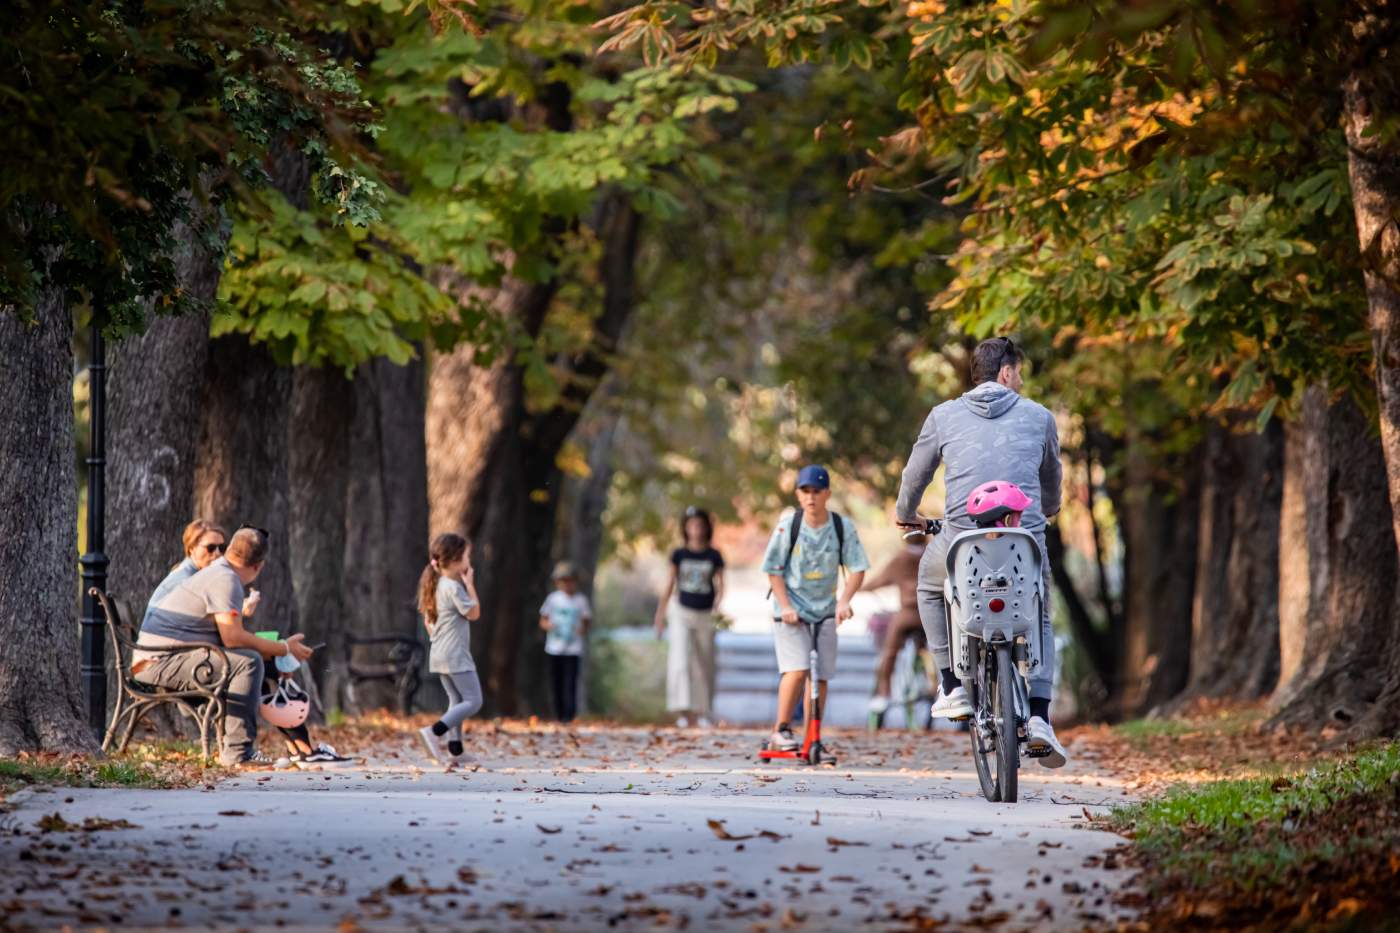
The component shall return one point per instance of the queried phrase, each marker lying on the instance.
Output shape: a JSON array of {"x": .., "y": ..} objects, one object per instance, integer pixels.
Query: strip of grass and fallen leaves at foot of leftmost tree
[{"x": 167, "y": 764}]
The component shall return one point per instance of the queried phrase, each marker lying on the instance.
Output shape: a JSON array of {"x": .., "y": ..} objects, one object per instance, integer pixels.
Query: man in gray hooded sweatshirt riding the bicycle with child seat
[{"x": 990, "y": 434}]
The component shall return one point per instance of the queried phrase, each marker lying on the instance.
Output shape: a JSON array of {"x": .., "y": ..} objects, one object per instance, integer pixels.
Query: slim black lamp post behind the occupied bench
[{"x": 94, "y": 562}]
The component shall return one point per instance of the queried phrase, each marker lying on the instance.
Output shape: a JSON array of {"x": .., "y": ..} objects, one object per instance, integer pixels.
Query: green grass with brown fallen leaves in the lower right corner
[{"x": 1314, "y": 845}]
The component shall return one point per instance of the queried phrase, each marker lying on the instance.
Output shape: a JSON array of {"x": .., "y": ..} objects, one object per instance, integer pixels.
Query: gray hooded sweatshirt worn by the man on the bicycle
[{"x": 989, "y": 434}]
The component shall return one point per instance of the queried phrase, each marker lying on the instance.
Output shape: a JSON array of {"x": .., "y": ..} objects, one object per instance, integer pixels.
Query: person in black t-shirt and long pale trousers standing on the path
[{"x": 688, "y": 621}]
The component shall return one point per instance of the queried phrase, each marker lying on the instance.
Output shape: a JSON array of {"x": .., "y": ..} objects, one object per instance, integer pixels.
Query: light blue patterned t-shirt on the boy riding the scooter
[{"x": 814, "y": 574}]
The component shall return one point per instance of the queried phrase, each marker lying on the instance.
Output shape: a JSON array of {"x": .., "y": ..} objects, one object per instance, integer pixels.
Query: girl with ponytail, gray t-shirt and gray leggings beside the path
[{"x": 447, "y": 600}]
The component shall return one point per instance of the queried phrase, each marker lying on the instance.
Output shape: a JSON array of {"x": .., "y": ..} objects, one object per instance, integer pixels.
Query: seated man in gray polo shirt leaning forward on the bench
[{"x": 208, "y": 610}]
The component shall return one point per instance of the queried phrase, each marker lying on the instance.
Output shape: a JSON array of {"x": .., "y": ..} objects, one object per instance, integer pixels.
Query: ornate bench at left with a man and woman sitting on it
[{"x": 205, "y": 704}]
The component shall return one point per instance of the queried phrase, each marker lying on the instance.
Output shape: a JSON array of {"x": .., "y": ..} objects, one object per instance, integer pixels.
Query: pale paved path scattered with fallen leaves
[{"x": 600, "y": 829}]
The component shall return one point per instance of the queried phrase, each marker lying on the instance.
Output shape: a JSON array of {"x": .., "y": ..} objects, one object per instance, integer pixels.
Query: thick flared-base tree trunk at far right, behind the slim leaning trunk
[{"x": 1353, "y": 564}]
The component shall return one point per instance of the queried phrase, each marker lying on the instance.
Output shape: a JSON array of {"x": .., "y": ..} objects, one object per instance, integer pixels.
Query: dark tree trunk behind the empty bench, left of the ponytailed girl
[{"x": 387, "y": 509}]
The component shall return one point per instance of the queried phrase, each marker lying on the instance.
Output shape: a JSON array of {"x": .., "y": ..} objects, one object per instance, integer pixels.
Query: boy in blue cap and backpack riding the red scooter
[{"x": 804, "y": 560}]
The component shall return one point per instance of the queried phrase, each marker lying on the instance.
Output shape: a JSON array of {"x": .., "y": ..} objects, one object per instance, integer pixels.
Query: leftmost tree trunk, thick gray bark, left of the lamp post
[{"x": 41, "y": 700}]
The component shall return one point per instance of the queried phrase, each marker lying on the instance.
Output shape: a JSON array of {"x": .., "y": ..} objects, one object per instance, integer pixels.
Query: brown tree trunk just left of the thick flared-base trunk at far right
[{"x": 1235, "y": 610}]
